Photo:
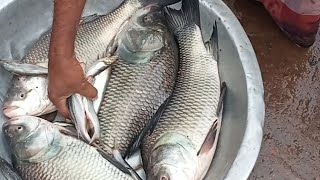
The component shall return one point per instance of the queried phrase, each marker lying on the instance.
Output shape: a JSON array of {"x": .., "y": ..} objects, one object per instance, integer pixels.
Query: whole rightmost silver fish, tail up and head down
[{"x": 183, "y": 143}]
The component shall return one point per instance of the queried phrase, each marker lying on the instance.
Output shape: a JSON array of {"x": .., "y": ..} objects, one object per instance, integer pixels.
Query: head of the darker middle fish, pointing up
[{"x": 143, "y": 36}]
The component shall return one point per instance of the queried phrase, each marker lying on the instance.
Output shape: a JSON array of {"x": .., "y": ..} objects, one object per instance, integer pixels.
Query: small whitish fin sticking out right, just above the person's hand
[{"x": 101, "y": 65}]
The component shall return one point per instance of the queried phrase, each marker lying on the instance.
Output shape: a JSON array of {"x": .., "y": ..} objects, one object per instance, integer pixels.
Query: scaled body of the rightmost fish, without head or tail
[{"x": 192, "y": 108}]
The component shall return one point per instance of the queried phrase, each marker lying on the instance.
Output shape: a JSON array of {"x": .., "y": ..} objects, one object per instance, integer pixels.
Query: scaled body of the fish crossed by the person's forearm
[{"x": 92, "y": 38}]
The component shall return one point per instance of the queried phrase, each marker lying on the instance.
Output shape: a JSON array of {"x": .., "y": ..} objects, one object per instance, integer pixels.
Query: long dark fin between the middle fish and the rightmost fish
[{"x": 149, "y": 127}]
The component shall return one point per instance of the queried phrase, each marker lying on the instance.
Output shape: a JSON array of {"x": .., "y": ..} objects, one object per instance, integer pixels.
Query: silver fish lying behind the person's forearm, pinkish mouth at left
[{"x": 94, "y": 35}]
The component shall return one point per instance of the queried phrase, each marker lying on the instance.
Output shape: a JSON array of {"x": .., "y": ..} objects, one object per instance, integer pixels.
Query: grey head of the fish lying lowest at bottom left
[{"x": 30, "y": 137}]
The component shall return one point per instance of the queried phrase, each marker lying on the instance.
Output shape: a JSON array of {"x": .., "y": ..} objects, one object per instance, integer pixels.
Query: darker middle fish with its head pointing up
[{"x": 140, "y": 81}]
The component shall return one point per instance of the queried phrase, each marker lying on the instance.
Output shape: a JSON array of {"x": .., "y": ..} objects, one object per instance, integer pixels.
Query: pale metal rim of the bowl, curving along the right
[{"x": 250, "y": 146}]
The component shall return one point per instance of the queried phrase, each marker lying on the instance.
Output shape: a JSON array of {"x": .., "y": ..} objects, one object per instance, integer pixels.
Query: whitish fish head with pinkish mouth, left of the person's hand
[{"x": 27, "y": 95}]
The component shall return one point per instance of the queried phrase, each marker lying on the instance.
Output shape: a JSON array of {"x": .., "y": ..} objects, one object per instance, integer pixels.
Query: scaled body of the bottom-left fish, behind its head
[{"x": 75, "y": 161}]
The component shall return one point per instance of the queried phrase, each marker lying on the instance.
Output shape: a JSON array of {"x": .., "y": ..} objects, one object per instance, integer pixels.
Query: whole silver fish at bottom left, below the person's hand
[{"x": 42, "y": 151}]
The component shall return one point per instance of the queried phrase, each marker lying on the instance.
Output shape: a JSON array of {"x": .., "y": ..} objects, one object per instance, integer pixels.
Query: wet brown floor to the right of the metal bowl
[{"x": 291, "y": 141}]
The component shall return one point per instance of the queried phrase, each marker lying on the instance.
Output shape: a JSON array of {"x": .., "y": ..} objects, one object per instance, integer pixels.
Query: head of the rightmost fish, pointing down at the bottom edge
[{"x": 172, "y": 158}]
